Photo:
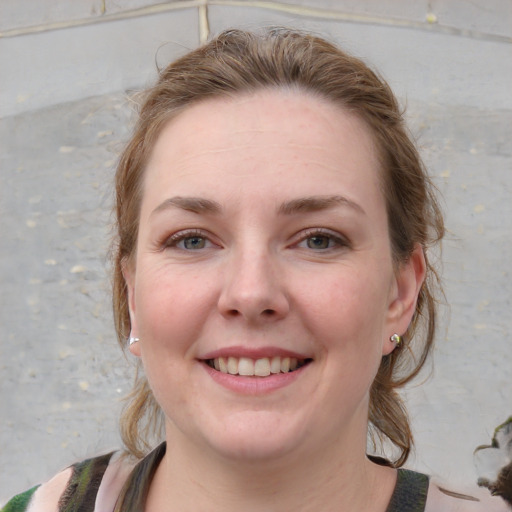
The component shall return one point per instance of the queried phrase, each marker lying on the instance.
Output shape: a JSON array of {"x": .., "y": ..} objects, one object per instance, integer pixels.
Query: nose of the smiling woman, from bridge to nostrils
[{"x": 253, "y": 288}]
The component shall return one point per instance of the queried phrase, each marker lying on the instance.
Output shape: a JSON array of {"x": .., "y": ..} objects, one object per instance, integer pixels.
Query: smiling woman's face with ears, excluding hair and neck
[{"x": 263, "y": 289}]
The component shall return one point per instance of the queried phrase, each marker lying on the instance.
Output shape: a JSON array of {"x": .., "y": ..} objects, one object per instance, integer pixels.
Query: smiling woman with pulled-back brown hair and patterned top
[{"x": 272, "y": 275}]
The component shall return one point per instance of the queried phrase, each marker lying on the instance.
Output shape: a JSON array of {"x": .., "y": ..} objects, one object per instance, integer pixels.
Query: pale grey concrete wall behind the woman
[{"x": 66, "y": 67}]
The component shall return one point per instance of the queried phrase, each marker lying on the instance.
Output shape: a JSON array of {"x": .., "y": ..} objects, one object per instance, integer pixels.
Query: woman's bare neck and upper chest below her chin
[{"x": 336, "y": 478}]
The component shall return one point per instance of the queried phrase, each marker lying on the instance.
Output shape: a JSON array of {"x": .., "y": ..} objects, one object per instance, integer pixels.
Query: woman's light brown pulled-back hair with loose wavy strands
[{"x": 238, "y": 62}]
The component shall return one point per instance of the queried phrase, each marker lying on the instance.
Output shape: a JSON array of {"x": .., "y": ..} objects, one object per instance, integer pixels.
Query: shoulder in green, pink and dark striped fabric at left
[{"x": 82, "y": 486}]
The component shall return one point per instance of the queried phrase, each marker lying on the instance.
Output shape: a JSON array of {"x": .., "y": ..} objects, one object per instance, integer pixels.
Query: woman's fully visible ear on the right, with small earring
[{"x": 408, "y": 280}]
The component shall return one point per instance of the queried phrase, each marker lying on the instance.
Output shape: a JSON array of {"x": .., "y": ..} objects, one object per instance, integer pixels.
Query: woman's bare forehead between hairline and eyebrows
[{"x": 271, "y": 135}]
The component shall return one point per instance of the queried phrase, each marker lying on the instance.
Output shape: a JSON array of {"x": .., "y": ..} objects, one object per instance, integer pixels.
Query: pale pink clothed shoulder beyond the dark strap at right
[{"x": 476, "y": 499}]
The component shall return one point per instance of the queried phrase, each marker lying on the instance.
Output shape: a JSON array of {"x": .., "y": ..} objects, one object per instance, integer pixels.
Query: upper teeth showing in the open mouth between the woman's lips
[{"x": 262, "y": 367}]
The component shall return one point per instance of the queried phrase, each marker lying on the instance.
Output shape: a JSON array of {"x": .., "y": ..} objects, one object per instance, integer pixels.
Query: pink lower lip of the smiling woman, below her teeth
[{"x": 254, "y": 385}]
